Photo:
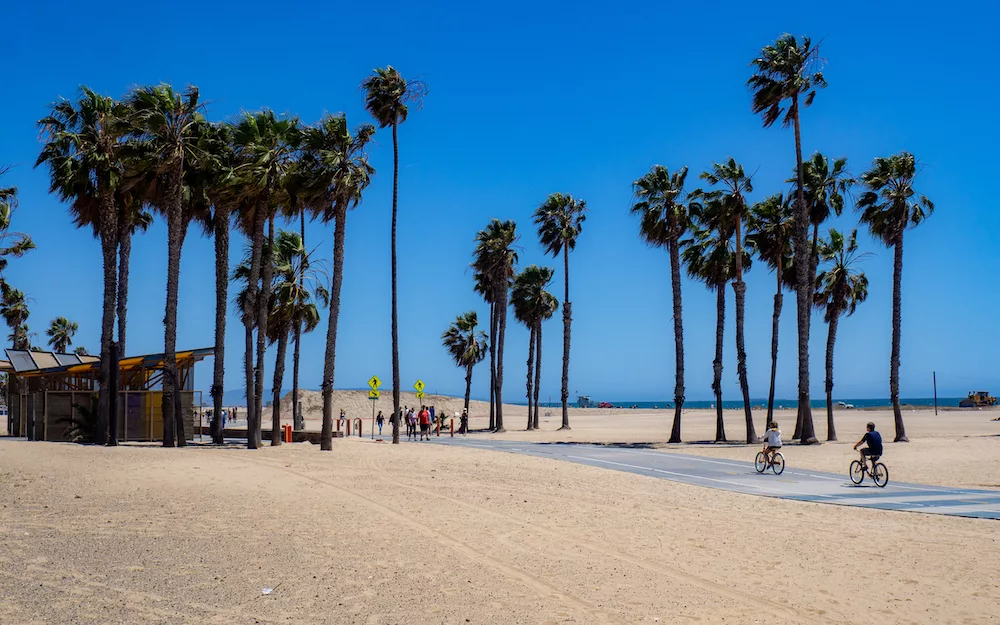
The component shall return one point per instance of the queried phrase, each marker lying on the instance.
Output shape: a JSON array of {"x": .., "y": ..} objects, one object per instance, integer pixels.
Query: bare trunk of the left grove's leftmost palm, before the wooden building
[{"x": 109, "y": 246}]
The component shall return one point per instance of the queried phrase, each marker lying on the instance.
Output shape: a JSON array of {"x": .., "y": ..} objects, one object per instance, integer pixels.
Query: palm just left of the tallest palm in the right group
[{"x": 770, "y": 233}]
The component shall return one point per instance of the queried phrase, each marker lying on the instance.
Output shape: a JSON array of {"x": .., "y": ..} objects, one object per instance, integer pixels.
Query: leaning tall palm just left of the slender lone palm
[{"x": 331, "y": 177}]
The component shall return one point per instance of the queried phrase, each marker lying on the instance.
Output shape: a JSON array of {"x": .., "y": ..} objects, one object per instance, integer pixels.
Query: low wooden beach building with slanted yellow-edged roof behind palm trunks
[{"x": 46, "y": 389}]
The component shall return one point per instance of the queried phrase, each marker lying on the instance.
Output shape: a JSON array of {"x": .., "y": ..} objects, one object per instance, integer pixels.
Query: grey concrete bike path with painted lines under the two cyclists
[{"x": 740, "y": 477}]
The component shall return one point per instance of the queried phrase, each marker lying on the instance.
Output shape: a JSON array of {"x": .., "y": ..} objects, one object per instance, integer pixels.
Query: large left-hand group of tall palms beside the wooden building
[{"x": 118, "y": 161}]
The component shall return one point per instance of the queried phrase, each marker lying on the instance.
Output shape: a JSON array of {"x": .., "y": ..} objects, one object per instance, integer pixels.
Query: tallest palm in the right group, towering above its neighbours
[{"x": 785, "y": 71}]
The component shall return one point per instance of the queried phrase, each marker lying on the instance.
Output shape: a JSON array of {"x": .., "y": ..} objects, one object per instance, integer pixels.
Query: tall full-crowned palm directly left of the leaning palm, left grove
[{"x": 266, "y": 150}]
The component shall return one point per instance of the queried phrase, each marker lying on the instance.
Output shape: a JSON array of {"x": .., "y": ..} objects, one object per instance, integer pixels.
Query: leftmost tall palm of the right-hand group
[{"x": 659, "y": 202}]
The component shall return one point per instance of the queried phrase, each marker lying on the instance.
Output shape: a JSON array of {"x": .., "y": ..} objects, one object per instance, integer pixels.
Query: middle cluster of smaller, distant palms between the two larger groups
[{"x": 559, "y": 221}]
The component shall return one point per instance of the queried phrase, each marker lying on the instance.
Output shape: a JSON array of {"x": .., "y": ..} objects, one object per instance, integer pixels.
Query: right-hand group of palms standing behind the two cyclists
[{"x": 715, "y": 233}]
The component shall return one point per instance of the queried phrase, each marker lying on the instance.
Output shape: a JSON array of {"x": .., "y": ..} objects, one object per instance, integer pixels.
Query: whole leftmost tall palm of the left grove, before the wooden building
[{"x": 82, "y": 151}]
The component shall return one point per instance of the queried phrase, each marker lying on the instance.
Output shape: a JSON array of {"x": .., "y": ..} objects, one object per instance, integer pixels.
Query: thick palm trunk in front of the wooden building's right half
[{"x": 171, "y": 386}]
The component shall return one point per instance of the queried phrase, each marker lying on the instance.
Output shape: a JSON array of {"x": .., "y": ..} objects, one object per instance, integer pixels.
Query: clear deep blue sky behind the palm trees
[{"x": 527, "y": 99}]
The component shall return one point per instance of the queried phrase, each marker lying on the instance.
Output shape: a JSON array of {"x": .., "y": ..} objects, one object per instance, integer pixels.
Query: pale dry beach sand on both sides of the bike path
[{"x": 420, "y": 533}]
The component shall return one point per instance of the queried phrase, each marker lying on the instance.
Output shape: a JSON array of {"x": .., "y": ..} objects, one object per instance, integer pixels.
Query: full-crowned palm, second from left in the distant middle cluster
[{"x": 494, "y": 259}]
